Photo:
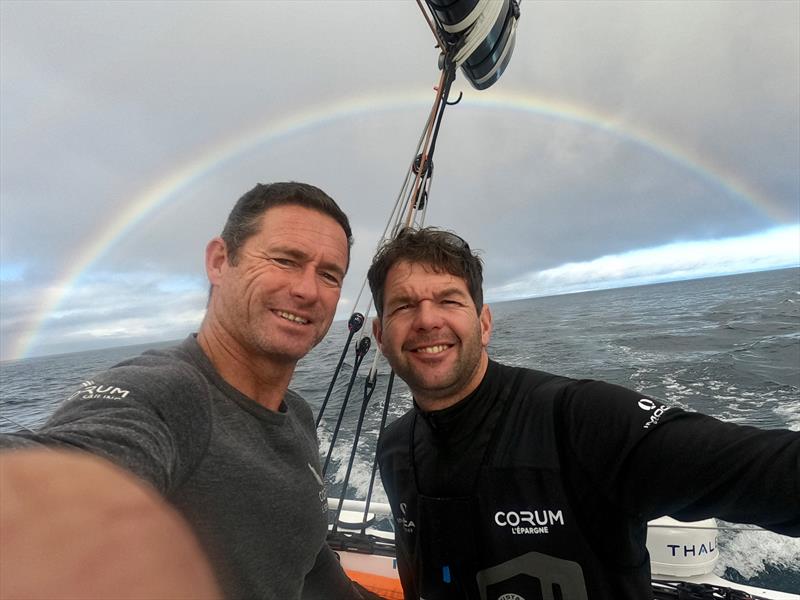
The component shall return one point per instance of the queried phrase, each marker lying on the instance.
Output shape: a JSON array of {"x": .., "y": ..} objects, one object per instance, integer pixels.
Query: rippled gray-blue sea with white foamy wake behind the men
[{"x": 724, "y": 346}]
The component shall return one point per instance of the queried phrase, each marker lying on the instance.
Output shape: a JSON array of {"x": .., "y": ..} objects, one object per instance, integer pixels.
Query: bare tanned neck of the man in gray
[{"x": 260, "y": 378}]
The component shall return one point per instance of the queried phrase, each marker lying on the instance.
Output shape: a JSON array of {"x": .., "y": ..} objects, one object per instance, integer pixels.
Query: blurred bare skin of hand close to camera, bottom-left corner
[{"x": 75, "y": 526}]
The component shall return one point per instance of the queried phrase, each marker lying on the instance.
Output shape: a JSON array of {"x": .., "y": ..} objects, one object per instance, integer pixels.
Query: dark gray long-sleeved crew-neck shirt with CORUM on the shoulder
[{"x": 246, "y": 478}]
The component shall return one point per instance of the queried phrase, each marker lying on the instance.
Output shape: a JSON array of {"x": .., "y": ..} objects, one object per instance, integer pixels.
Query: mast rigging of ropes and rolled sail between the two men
[{"x": 476, "y": 36}]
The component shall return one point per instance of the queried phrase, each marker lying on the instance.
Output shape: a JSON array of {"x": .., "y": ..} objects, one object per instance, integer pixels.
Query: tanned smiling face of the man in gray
[{"x": 279, "y": 298}]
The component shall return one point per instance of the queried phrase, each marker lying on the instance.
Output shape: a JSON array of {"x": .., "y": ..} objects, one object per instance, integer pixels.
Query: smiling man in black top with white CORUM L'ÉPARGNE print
[{"x": 514, "y": 483}]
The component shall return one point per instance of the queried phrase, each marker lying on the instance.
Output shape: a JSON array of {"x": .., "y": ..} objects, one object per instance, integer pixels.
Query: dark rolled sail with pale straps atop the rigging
[{"x": 481, "y": 34}]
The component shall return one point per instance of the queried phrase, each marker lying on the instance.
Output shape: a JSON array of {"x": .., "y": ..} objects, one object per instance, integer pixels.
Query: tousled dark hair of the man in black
[{"x": 441, "y": 250}]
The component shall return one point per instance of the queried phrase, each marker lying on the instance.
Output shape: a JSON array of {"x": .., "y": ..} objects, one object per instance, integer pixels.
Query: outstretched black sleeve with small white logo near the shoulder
[{"x": 655, "y": 460}]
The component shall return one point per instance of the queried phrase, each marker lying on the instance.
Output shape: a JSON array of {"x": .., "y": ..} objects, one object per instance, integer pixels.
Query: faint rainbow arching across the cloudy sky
[{"x": 166, "y": 188}]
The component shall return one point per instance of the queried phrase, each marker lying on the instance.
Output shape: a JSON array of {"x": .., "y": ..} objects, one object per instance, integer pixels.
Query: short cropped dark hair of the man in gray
[{"x": 244, "y": 220}]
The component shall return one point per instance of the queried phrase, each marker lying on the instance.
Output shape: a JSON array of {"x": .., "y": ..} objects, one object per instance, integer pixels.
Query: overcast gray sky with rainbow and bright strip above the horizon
[{"x": 626, "y": 143}]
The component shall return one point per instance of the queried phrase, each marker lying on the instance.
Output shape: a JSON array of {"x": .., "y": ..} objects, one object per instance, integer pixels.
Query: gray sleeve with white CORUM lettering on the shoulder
[{"x": 152, "y": 419}]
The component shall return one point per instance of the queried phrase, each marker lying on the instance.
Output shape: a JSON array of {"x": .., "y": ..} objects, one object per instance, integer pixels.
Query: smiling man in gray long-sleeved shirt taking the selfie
[{"x": 211, "y": 423}]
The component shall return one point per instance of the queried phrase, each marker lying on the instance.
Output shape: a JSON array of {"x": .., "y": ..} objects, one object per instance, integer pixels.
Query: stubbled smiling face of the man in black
[{"x": 432, "y": 334}]
